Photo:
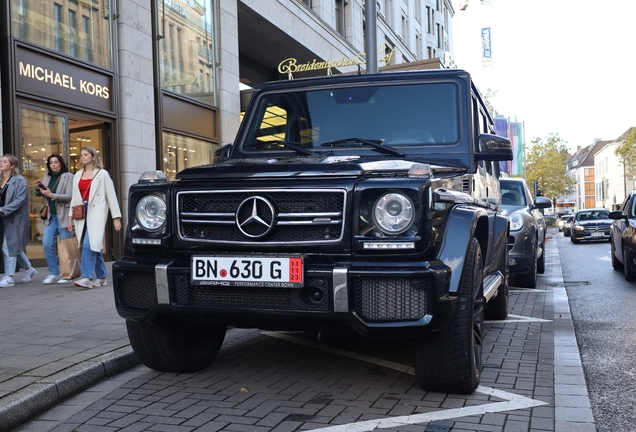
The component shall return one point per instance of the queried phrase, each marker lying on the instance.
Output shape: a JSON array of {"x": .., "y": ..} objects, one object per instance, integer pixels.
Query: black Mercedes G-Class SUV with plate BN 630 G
[{"x": 369, "y": 202}]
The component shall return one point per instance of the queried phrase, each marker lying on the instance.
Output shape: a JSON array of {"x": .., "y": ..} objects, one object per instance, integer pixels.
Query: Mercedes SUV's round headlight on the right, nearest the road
[{"x": 393, "y": 213}]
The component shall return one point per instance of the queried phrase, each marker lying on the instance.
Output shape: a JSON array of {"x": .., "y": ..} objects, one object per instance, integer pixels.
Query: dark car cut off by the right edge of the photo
[{"x": 622, "y": 239}]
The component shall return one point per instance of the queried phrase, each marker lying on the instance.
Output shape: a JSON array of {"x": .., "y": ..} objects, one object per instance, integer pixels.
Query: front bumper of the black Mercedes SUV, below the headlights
[{"x": 375, "y": 299}]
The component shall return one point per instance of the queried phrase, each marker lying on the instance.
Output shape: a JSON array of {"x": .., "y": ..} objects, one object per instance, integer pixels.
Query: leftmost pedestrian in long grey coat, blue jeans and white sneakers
[{"x": 14, "y": 209}]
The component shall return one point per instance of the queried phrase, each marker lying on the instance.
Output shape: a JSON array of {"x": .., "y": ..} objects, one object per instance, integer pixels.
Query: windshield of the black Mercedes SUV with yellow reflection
[{"x": 390, "y": 115}]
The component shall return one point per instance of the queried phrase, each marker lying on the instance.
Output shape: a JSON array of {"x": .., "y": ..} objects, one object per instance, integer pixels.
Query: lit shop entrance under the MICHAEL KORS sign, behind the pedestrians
[{"x": 44, "y": 132}]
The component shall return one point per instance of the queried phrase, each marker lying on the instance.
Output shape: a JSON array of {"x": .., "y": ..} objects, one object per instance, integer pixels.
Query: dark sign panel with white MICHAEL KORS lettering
[{"x": 61, "y": 81}]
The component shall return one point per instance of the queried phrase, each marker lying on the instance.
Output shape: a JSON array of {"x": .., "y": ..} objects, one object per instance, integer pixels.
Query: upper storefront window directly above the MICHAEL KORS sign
[{"x": 78, "y": 29}]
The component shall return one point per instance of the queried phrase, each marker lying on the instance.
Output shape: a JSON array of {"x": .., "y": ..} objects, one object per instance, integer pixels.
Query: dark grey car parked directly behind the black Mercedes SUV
[{"x": 526, "y": 242}]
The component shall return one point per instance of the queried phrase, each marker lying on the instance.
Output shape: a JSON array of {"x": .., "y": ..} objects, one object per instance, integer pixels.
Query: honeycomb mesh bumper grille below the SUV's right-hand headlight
[{"x": 391, "y": 299}]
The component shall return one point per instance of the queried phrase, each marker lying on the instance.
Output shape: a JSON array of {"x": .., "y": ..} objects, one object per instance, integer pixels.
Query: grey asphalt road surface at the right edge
[{"x": 603, "y": 307}]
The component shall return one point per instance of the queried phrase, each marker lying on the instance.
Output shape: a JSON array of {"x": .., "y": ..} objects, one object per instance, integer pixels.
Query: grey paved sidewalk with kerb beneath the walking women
[{"x": 56, "y": 340}]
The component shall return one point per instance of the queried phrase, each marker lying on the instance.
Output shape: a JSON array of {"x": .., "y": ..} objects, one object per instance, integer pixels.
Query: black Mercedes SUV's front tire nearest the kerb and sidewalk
[{"x": 175, "y": 345}]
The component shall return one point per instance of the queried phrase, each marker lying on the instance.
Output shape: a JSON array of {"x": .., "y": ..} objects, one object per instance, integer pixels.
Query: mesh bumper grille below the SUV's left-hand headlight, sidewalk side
[{"x": 135, "y": 289}]
